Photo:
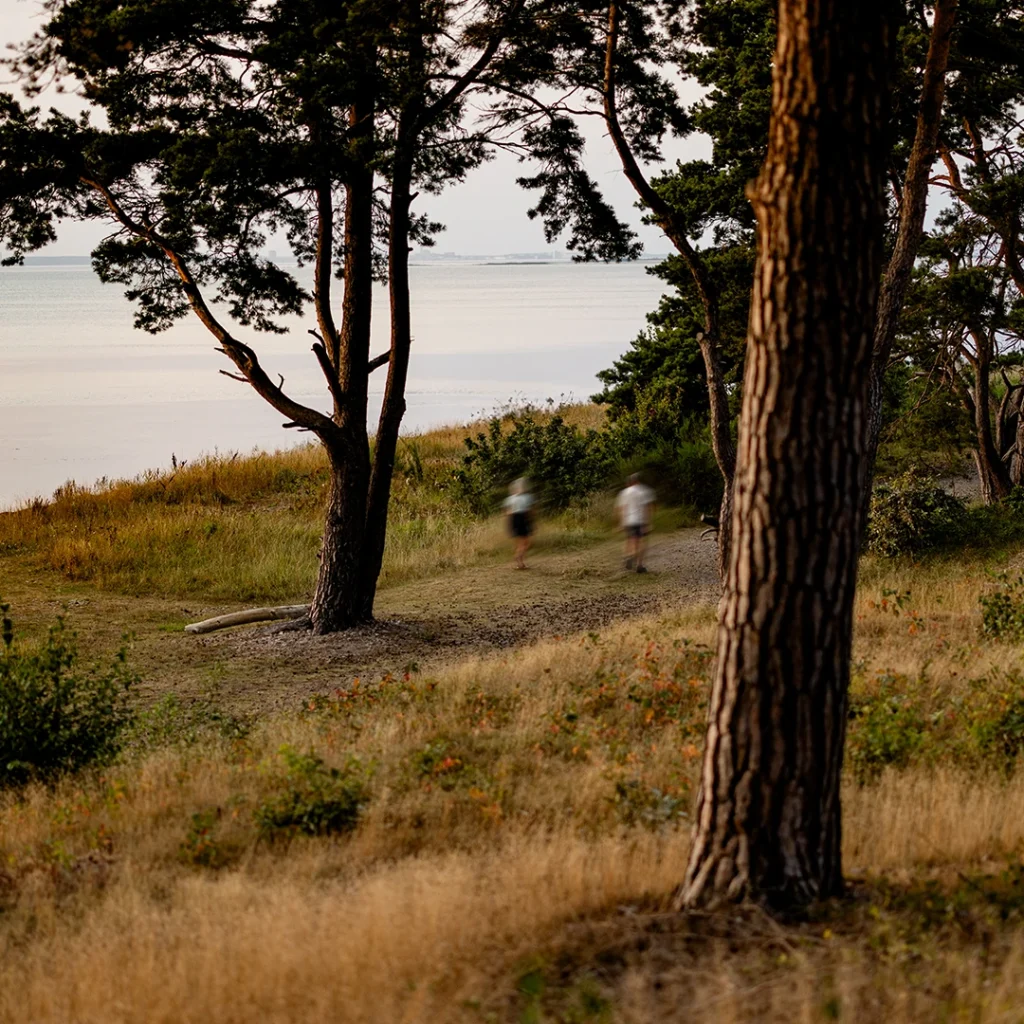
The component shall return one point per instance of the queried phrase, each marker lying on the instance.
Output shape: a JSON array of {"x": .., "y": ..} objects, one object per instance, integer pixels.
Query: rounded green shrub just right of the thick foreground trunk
[{"x": 913, "y": 515}]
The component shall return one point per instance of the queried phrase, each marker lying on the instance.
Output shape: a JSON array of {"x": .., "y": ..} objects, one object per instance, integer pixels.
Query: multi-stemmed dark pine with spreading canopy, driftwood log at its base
[{"x": 224, "y": 124}]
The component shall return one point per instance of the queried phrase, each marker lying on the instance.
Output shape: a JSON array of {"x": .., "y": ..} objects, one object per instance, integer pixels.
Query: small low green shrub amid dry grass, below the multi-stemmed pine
[{"x": 316, "y": 800}]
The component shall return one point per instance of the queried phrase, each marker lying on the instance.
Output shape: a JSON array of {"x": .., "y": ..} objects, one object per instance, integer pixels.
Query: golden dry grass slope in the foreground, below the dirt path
[{"x": 523, "y": 836}]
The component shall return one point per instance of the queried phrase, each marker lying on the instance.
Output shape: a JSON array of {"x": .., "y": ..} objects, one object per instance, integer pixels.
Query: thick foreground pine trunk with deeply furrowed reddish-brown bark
[{"x": 769, "y": 814}]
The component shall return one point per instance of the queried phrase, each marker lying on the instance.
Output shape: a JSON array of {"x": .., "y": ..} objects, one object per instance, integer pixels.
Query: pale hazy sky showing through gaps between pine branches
[{"x": 486, "y": 215}]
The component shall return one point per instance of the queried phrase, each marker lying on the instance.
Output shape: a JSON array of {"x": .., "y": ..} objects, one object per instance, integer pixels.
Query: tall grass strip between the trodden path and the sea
[{"x": 248, "y": 528}]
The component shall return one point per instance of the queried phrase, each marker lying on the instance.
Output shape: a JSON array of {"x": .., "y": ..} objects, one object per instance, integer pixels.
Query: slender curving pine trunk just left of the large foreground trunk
[{"x": 710, "y": 338}]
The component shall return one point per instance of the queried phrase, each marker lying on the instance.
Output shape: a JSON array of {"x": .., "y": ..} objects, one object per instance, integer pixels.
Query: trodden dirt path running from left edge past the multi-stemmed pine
[{"x": 458, "y": 614}]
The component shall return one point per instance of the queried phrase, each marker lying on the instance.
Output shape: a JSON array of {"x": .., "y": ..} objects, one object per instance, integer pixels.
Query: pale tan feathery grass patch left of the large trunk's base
[{"x": 393, "y": 945}]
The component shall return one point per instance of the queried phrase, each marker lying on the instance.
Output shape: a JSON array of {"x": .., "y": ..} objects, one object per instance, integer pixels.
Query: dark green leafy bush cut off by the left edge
[{"x": 56, "y": 718}]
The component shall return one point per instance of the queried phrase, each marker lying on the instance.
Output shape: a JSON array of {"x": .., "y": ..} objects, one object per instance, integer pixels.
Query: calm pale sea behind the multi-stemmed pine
[{"x": 83, "y": 396}]
